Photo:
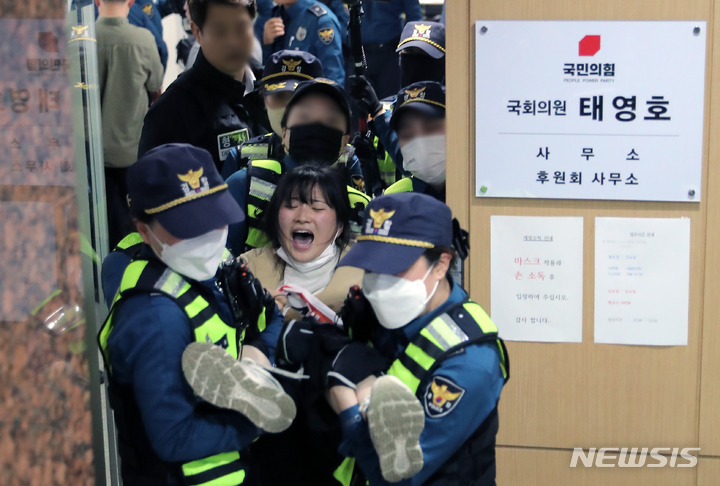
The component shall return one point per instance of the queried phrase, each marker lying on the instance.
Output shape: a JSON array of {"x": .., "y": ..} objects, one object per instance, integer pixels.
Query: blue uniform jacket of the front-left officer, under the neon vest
[{"x": 146, "y": 346}]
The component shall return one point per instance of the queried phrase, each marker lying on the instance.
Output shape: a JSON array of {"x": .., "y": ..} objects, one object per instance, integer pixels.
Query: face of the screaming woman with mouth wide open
[{"x": 306, "y": 230}]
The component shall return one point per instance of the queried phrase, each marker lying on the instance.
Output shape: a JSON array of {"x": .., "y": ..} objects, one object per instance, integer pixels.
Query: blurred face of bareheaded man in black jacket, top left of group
[{"x": 226, "y": 38}]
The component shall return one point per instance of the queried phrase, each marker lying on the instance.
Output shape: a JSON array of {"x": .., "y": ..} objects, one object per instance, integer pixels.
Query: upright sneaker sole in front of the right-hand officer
[{"x": 396, "y": 419}]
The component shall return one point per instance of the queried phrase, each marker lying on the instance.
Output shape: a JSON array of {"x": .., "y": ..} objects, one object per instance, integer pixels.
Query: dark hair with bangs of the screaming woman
[{"x": 300, "y": 183}]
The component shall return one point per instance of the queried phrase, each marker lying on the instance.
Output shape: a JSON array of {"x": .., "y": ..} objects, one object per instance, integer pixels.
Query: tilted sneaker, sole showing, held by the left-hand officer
[{"x": 243, "y": 386}]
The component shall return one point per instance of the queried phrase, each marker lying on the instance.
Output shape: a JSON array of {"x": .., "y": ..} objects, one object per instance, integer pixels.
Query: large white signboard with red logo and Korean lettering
[{"x": 589, "y": 110}]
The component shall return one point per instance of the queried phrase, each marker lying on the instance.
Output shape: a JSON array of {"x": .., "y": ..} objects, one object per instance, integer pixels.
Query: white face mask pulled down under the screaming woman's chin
[{"x": 315, "y": 275}]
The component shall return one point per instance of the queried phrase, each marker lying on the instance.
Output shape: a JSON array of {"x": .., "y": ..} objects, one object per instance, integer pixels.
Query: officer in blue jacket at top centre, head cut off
[{"x": 306, "y": 25}]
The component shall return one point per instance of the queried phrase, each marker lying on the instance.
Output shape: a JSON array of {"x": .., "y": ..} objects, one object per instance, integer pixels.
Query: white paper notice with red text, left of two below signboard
[{"x": 536, "y": 276}]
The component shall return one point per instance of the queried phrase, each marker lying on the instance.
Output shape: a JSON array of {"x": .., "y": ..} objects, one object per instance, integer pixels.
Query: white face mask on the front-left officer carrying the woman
[{"x": 197, "y": 258}]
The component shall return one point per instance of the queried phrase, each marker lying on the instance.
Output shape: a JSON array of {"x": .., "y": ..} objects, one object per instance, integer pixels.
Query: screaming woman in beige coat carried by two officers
[{"x": 308, "y": 223}]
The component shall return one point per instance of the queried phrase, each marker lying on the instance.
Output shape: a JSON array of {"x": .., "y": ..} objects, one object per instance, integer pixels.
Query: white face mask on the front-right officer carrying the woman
[{"x": 396, "y": 300}]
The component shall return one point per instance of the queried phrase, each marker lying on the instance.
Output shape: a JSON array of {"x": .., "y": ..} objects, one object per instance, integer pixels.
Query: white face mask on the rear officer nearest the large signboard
[{"x": 424, "y": 157}]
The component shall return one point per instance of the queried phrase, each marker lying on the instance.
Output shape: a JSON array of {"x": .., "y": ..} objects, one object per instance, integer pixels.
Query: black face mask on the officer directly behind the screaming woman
[{"x": 315, "y": 142}]
